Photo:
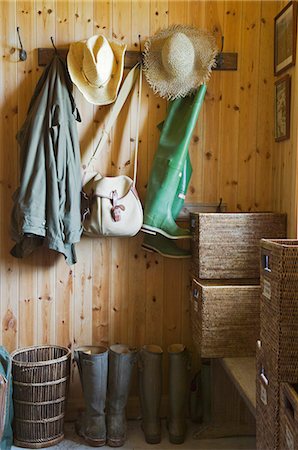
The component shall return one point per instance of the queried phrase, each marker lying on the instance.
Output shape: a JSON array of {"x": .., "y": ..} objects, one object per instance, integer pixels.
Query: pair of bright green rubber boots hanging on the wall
[{"x": 170, "y": 176}]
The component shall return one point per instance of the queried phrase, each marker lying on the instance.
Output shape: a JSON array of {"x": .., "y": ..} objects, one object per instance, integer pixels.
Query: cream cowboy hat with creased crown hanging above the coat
[{"x": 96, "y": 68}]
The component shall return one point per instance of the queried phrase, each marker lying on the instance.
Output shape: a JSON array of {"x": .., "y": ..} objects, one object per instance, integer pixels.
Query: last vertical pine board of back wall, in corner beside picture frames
[{"x": 265, "y": 110}]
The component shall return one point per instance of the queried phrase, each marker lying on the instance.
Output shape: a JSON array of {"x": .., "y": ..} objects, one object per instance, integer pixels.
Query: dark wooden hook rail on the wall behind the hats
[{"x": 225, "y": 61}]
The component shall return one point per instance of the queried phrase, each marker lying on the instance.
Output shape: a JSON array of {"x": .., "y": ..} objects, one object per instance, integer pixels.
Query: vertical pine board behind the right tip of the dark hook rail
[{"x": 229, "y": 123}]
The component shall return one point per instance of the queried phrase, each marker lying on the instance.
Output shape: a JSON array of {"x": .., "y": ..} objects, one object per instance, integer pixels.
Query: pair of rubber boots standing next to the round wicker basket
[{"x": 105, "y": 376}]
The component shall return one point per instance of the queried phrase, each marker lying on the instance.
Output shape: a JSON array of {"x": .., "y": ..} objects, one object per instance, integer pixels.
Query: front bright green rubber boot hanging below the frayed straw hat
[{"x": 168, "y": 166}]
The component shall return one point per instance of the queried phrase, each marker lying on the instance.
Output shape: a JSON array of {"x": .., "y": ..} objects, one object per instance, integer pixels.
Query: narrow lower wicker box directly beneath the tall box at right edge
[{"x": 267, "y": 406}]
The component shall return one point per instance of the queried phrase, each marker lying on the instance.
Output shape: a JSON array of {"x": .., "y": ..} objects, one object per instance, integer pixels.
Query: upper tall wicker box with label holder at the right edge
[{"x": 279, "y": 307}]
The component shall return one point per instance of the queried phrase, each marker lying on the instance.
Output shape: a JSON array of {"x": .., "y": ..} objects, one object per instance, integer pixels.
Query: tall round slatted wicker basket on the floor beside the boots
[{"x": 40, "y": 385}]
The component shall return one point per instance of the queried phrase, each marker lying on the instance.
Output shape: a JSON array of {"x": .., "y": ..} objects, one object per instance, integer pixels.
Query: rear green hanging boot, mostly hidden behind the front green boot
[{"x": 159, "y": 243}]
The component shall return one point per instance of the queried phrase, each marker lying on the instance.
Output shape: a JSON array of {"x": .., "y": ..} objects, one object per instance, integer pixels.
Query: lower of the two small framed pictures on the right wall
[{"x": 282, "y": 108}]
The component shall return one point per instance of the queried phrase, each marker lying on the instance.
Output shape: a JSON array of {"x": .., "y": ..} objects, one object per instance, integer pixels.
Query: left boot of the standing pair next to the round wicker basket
[{"x": 93, "y": 369}]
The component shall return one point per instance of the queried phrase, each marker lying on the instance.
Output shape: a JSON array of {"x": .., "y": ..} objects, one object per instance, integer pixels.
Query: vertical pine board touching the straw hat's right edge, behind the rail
[{"x": 214, "y": 14}]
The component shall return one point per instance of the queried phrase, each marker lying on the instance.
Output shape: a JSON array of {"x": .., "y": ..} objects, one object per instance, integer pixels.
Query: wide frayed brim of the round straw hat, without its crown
[{"x": 160, "y": 80}]
